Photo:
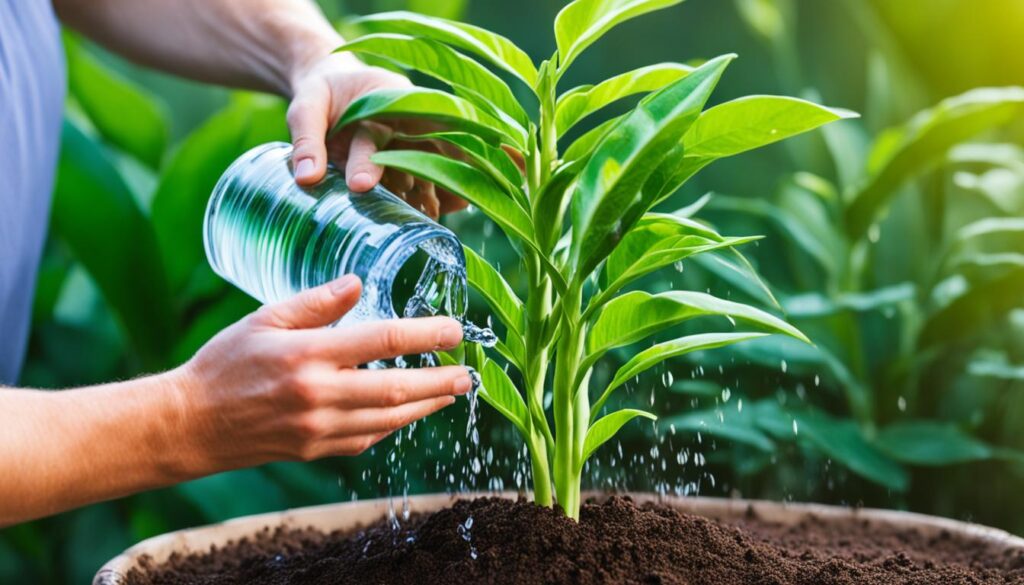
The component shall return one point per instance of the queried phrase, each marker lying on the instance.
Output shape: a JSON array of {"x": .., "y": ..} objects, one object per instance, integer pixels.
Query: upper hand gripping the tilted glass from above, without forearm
[{"x": 322, "y": 93}]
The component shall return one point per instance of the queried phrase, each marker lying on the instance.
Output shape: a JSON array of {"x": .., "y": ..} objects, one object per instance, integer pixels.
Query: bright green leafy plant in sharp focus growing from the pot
[{"x": 579, "y": 219}]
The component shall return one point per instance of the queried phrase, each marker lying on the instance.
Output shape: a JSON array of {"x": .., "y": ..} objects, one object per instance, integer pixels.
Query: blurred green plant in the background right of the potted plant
[{"x": 902, "y": 271}]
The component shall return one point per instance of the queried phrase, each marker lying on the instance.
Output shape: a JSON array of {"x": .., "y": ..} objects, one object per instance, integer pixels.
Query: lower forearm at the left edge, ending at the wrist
[{"x": 60, "y": 450}]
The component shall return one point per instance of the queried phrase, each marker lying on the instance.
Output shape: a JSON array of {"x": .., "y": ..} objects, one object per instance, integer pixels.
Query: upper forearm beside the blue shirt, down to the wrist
[{"x": 257, "y": 45}]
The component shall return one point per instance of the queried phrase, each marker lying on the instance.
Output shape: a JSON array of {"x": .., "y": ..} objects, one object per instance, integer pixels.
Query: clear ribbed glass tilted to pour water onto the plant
[{"x": 273, "y": 239}]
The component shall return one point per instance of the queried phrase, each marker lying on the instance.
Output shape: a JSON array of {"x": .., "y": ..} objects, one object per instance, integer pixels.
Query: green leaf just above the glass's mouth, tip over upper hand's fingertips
[{"x": 465, "y": 182}]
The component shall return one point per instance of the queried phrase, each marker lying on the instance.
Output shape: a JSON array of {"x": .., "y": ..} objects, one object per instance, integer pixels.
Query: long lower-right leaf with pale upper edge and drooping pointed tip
[{"x": 637, "y": 315}]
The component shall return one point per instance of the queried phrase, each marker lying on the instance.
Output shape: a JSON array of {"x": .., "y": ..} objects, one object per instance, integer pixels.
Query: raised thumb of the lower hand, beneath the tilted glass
[{"x": 314, "y": 308}]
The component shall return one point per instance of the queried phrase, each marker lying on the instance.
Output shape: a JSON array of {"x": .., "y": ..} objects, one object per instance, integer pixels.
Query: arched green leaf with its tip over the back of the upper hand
[{"x": 434, "y": 105}]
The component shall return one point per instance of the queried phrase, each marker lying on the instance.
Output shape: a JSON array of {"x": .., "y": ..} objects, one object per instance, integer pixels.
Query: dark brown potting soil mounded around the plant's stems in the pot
[{"x": 616, "y": 541}]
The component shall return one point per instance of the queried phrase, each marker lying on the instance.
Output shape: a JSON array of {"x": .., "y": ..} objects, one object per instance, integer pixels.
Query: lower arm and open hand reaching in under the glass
[{"x": 274, "y": 387}]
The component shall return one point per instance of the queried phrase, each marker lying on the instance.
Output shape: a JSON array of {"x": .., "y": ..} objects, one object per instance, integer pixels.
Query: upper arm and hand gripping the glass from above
[{"x": 282, "y": 47}]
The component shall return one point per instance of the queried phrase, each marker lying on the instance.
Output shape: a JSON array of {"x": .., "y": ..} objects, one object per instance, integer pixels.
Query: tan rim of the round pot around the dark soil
[{"x": 353, "y": 515}]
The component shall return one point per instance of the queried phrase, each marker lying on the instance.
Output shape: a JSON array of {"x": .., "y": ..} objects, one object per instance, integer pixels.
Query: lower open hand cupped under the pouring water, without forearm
[{"x": 278, "y": 386}]
